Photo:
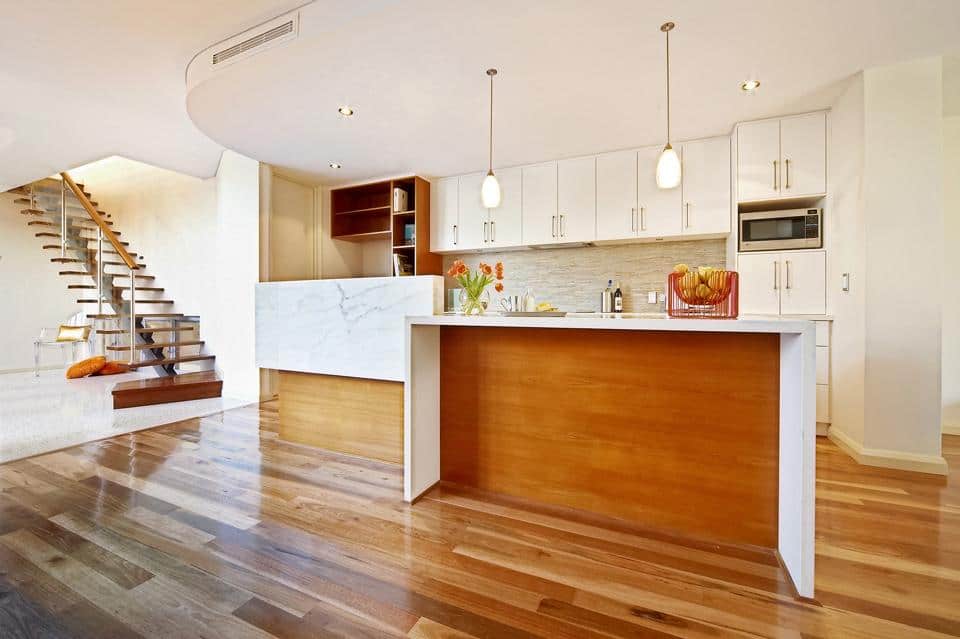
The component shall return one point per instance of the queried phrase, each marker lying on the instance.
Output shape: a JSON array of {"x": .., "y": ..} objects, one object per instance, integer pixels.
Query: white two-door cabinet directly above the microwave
[{"x": 780, "y": 159}]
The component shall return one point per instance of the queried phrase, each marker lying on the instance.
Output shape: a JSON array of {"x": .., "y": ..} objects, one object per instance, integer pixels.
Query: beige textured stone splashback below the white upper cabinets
[{"x": 572, "y": 278}]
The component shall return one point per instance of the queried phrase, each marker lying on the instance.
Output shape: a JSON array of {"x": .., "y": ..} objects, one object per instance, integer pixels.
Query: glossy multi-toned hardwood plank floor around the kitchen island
[{"x": 213, "y": 527}]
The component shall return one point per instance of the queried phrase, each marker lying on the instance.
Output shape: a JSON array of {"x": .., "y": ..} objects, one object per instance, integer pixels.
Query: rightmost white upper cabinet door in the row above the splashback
[{"x": 706, "y": 186}]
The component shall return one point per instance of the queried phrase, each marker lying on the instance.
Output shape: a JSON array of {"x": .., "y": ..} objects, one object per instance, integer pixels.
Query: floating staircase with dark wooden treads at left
[{"x": 129, "y": 317}]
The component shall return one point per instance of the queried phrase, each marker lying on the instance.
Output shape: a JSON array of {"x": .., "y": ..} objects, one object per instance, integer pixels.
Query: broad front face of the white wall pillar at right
[{"x": 903, "y": 204}]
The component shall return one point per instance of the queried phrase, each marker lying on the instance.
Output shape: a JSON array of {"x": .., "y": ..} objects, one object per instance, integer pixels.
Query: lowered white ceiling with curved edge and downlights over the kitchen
[{"x": 576, "y": 77}]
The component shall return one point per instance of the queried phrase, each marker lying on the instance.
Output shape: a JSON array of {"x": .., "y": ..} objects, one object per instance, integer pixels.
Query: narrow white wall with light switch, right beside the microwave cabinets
[{"x": 845, "y": 214}]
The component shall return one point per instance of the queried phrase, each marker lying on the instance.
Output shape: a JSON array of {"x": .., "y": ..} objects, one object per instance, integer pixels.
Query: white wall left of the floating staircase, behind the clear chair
[{"x": 34, "y": 295}]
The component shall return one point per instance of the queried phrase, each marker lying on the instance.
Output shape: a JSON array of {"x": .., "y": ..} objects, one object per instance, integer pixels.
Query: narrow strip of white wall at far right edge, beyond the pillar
[{"x": 951, "y": 302}]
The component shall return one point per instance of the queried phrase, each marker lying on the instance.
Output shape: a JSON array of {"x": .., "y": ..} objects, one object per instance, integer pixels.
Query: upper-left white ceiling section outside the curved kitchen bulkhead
[{"x": 84, "y": 80}]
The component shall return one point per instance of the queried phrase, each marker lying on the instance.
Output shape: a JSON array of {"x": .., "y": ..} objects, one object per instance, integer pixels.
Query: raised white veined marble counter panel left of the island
[{"x": 349, "y": 327}]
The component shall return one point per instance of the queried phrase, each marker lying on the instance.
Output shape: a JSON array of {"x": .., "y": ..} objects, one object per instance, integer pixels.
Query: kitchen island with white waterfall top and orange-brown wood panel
[{"x": 703, "y": 428}]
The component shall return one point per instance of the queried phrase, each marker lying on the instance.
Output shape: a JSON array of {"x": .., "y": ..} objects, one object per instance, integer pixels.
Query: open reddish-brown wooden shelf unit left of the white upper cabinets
[{"x": 365, "y": 213}]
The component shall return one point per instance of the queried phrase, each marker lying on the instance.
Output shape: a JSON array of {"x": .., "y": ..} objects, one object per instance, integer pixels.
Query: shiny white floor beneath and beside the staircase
[{"x": 40, "y": 414}]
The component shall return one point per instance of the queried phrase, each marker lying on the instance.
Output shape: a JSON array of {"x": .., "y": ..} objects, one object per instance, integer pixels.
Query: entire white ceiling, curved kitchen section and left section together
[{"x": 82, "y": 81}]
